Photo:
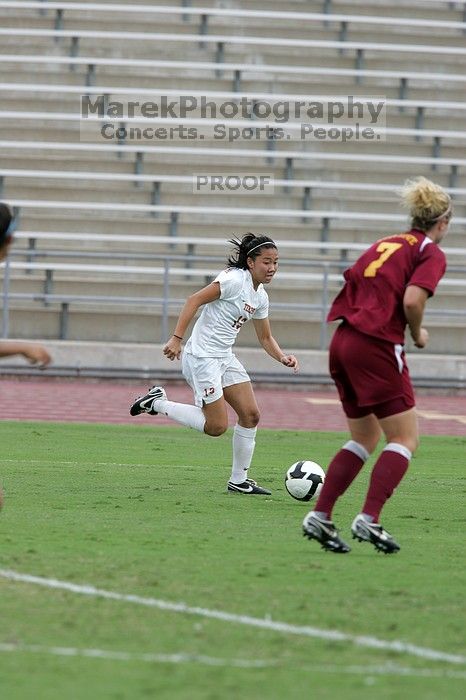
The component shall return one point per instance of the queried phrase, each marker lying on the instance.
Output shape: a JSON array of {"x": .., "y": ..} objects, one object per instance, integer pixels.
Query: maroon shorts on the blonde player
[{"x": 370, "y": 374}]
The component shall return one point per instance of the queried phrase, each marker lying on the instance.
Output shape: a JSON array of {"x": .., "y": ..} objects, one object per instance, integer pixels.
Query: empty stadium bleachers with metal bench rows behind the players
[{"x": 93, "y": 215}]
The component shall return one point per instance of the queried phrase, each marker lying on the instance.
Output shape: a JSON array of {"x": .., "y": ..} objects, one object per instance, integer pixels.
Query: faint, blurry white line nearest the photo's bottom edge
[{"x": 388, "y": 669}]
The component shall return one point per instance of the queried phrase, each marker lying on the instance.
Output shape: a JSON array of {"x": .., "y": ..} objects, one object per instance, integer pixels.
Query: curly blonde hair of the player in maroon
[{"x": 426, "y": 202}]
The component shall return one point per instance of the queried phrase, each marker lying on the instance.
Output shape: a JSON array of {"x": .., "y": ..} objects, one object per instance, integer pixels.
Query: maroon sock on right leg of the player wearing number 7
[{"x": 387, "y": 473}]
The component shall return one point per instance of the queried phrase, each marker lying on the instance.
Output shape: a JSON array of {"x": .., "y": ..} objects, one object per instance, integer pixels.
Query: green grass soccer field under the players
[{"x": 142, "y": 511}]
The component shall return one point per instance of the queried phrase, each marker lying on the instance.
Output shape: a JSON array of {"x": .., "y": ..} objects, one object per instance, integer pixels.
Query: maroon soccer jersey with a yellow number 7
[{"x": 372, "y": 297}]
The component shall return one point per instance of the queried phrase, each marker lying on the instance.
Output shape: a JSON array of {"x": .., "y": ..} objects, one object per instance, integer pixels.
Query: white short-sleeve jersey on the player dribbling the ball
[{"x": 217, "y": 327}]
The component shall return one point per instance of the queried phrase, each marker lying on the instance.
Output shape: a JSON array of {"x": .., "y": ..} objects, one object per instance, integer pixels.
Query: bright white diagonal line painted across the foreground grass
[{"x": 272, "y": 625}]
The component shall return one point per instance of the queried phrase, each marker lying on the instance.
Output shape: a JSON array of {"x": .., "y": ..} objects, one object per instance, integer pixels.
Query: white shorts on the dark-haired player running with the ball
[{"x": 208, "y": 375}]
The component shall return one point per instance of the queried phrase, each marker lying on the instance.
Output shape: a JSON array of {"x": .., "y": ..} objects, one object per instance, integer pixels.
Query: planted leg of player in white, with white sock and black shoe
[{"x": 241, "y": 398}]
